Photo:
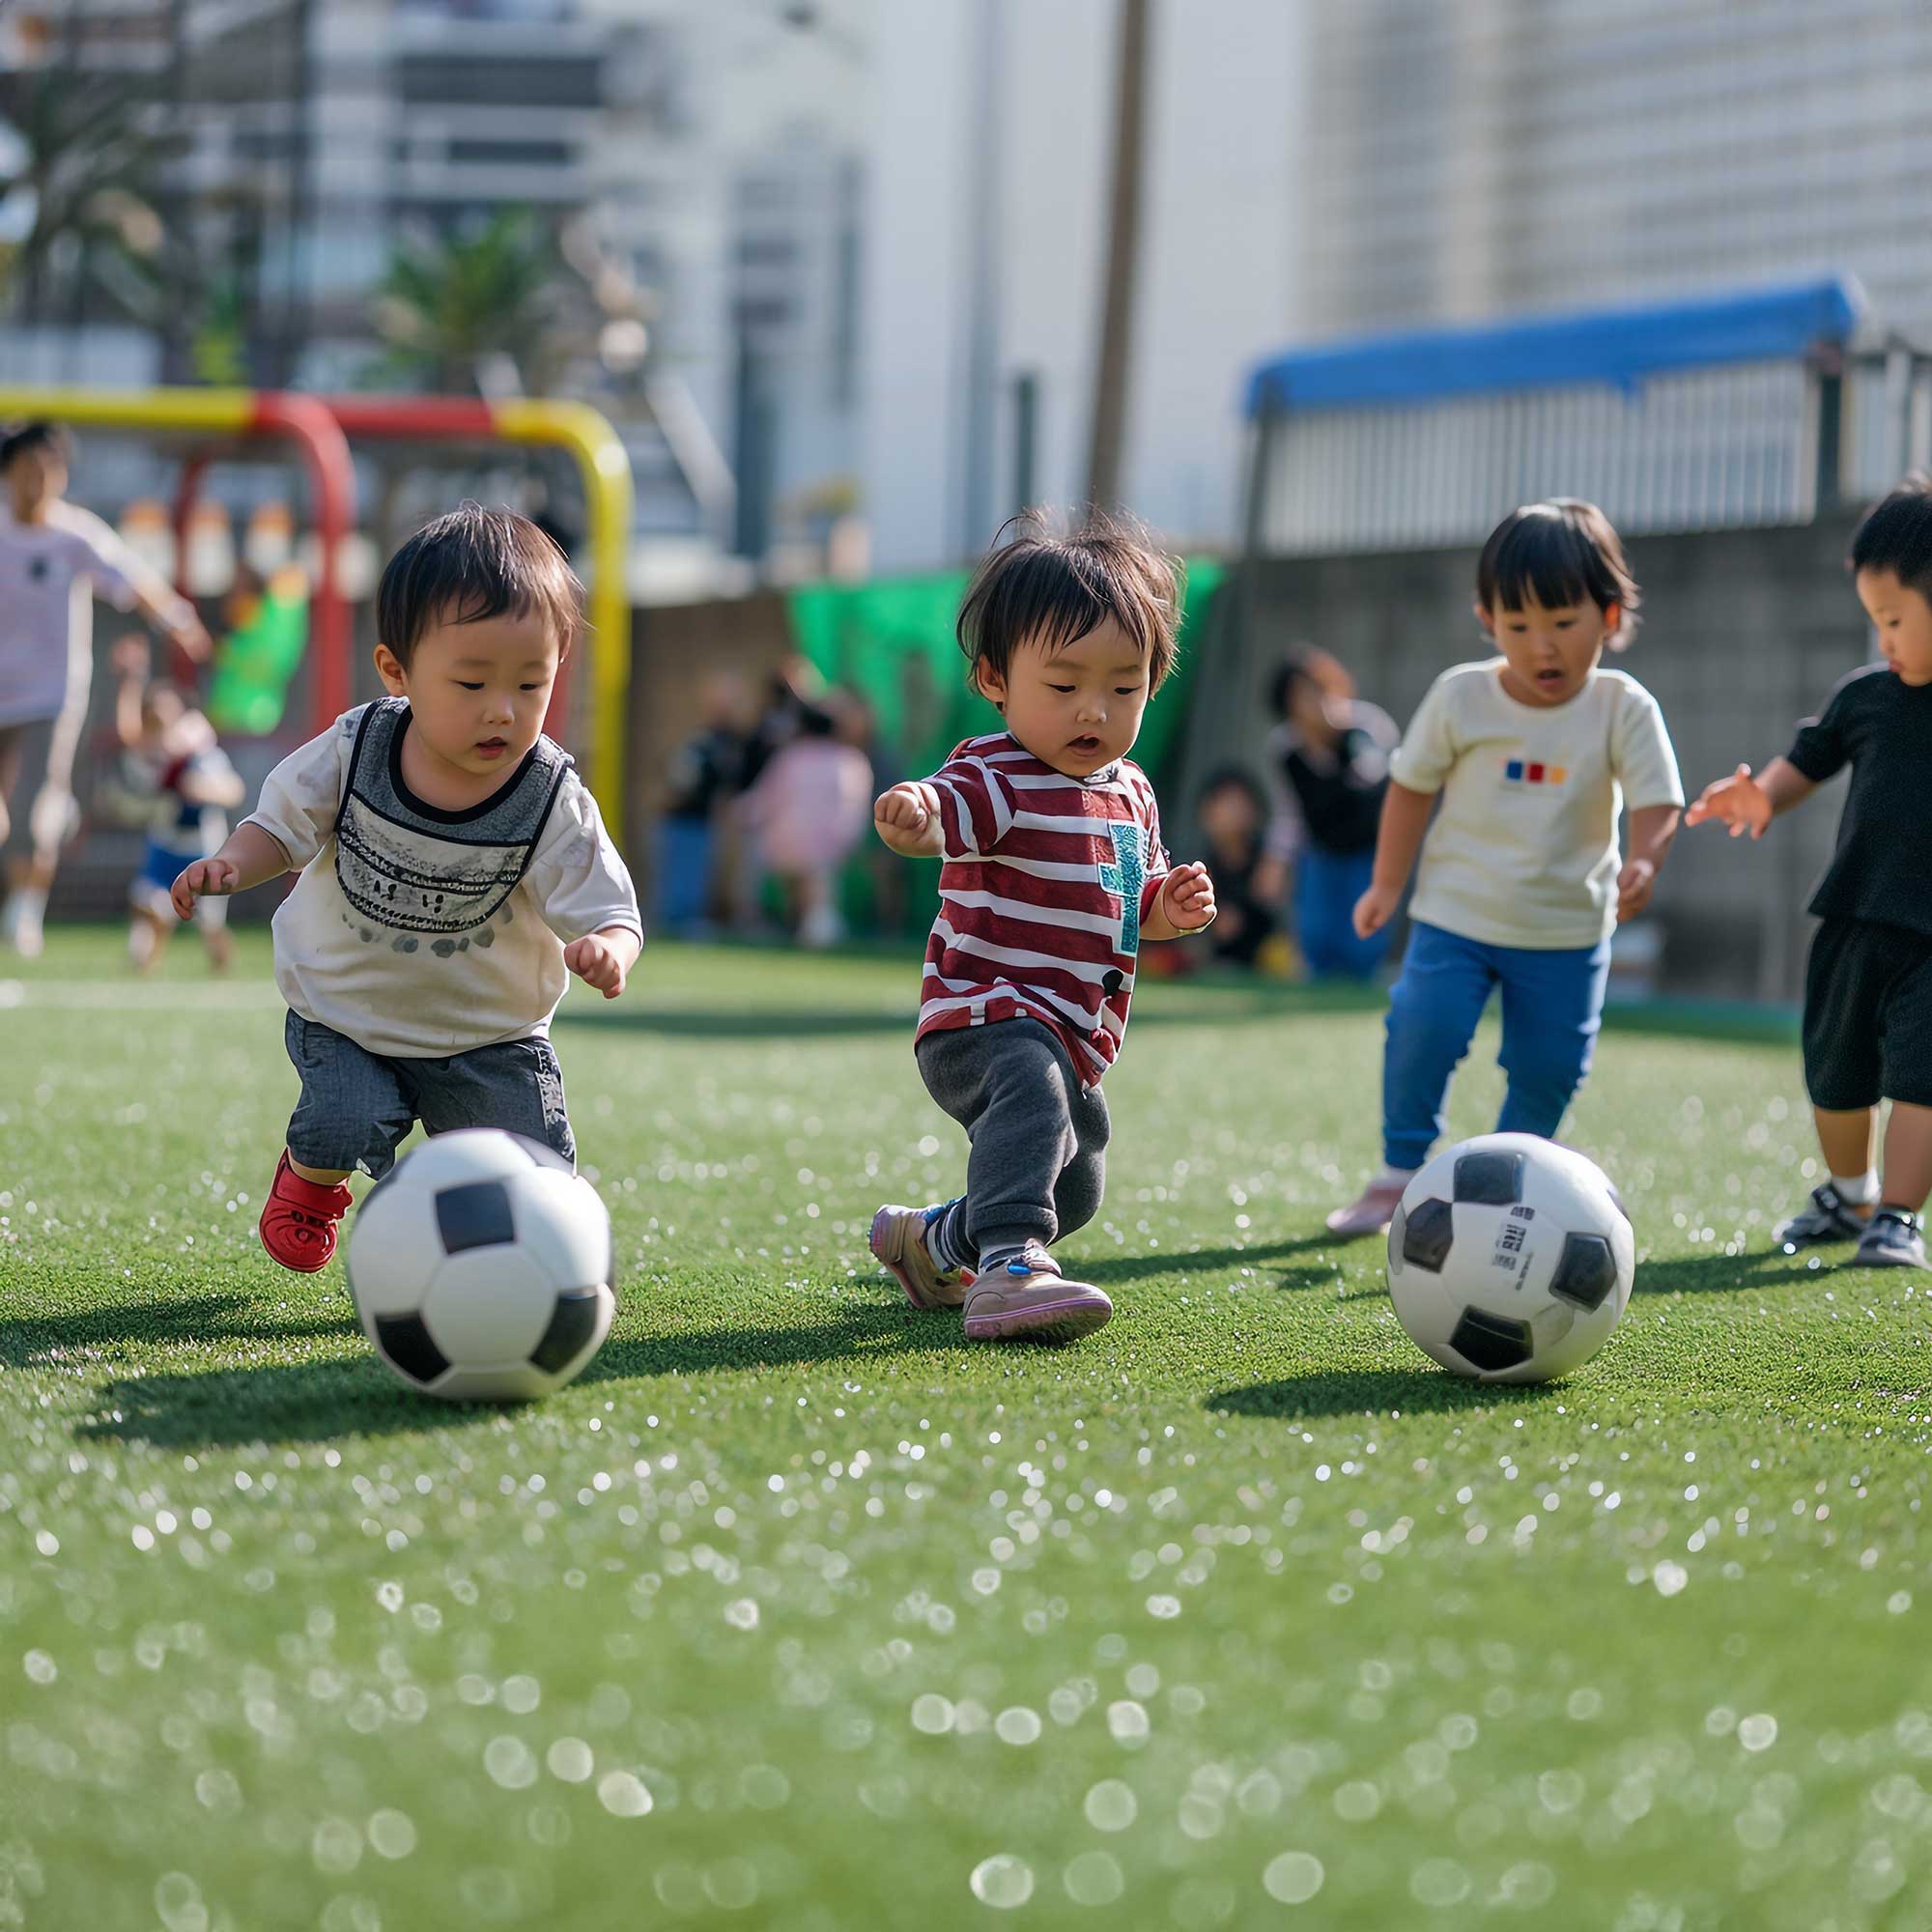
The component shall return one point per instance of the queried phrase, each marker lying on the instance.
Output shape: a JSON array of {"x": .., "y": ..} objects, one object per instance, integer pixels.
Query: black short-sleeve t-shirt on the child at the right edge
[{"x": 1883, "y": 727}]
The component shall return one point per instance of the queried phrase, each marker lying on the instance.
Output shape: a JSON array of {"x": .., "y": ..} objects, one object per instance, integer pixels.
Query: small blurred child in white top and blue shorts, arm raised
[{"x": 177, "y": 781}]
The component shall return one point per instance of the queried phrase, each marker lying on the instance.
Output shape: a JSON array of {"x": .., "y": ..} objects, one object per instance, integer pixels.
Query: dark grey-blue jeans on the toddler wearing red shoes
[{"x": 358, "y": 1106}]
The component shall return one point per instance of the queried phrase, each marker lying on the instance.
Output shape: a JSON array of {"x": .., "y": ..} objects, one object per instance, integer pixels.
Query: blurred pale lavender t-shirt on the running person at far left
[{"x": 49, "y": 579}]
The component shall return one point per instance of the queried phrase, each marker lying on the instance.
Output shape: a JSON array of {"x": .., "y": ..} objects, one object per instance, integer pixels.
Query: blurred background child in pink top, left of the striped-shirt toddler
[{"x": 809, "y": 812}]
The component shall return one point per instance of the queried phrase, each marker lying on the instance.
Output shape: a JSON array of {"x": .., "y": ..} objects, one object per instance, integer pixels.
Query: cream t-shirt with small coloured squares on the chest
[{"x": 1523, "y": 851}]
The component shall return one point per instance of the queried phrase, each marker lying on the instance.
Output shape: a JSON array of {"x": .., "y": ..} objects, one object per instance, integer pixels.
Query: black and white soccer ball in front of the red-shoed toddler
[{"x": 482, "y": 1268}]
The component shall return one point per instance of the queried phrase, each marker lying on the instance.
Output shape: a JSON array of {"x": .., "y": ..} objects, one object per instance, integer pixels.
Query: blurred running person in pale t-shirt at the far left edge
[{"x": 55, "y": 559}]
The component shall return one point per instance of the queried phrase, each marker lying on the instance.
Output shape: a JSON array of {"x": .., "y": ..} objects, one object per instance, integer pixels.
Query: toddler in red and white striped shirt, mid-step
[{"x": 1054, "y": 874}]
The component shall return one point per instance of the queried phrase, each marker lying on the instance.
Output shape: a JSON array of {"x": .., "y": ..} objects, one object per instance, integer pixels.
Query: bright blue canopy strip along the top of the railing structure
[{"x": 1618, "y": 347}]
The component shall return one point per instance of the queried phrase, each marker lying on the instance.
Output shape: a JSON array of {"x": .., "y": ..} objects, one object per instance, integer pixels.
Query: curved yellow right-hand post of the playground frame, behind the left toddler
[{"x": 606, "y": 467}]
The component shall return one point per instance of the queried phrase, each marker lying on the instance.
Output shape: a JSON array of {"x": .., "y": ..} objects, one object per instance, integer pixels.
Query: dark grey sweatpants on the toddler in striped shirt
[{"x": 1038, "y": 1162}]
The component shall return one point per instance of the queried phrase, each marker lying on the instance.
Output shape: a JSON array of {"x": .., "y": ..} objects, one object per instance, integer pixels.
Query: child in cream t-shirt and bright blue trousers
[{"x": 1535, "y": 756}]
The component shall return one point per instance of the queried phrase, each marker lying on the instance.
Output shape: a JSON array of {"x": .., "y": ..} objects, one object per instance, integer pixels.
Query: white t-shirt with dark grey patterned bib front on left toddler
[{"x": 420, "y": 932}]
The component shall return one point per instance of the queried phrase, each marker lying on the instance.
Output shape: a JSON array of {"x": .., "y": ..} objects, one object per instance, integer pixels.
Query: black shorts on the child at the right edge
[{"x": 1869, "y": 1015}]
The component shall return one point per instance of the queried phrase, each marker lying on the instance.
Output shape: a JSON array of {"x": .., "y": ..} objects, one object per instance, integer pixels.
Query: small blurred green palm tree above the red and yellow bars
[{"x": 451, "y": 302}]
